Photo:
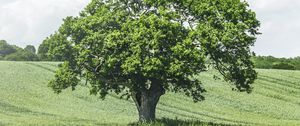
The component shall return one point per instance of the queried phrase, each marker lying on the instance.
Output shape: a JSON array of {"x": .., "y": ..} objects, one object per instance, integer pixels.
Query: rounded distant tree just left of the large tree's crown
[{"x": 55, "y": 48}]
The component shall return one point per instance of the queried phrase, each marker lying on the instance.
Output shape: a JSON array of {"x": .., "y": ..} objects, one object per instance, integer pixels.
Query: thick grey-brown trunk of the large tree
[{"x": 146, "y": 101}]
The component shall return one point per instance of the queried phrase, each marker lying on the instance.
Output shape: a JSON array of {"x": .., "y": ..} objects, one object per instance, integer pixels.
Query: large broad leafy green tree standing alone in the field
[{"x": 143, "y": 48}]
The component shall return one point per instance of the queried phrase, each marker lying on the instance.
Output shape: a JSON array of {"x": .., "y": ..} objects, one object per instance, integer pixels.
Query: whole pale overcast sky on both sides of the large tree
[{"x": 24, "y": 22}]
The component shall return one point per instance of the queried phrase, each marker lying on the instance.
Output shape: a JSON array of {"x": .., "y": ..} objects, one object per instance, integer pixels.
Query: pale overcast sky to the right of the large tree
[{"x": 280, "y": 27}]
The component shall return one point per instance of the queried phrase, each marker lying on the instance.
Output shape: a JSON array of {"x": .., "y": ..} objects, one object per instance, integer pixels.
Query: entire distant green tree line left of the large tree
[{"x": 53, "y": 48}]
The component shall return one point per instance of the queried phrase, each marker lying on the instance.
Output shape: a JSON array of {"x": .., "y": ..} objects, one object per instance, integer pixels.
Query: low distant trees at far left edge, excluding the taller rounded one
[{"x": 15, "y": 53}]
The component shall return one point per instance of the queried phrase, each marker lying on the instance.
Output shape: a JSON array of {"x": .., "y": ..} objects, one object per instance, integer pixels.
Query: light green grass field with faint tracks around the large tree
[{"x": 25, "y": 99}]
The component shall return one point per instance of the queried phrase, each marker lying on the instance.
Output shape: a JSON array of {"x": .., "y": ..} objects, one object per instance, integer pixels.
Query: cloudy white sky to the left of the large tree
[{"x": 24, "y": 22}]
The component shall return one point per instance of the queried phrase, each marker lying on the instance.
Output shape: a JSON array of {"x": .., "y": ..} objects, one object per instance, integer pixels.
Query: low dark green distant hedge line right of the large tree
[{"x": 270, "y": 62}]
